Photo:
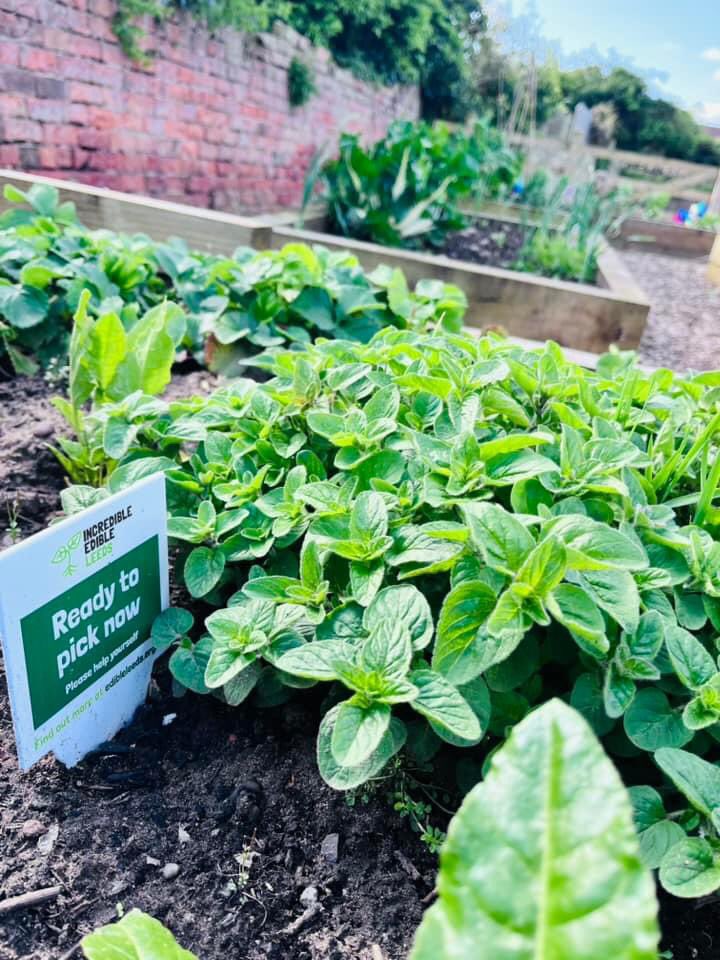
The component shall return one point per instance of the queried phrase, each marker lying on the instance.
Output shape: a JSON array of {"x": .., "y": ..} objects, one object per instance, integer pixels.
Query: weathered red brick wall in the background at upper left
[{"x": 207, "y": 123}]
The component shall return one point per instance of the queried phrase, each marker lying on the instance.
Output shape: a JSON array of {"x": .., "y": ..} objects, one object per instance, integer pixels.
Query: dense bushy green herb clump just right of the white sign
[{"x": 446, "y": 531}]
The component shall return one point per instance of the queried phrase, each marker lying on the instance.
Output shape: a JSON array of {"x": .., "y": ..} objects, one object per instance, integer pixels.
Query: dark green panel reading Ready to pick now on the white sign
[{"x": 75, "y": 639}]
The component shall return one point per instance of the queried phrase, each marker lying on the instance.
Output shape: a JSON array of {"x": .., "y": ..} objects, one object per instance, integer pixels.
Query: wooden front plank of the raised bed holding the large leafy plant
[{"x": 575, "y": 315}]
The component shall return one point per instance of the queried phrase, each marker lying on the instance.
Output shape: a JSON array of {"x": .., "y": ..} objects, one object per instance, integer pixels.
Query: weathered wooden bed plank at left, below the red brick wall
[{"x": 98, "y": 208}]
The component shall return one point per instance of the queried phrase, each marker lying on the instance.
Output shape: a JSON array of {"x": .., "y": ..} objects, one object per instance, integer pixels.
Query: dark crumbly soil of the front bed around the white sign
[{"x": 213, "y": 819}]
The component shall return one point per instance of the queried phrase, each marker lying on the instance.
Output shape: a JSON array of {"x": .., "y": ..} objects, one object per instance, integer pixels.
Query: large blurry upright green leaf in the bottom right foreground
[{"x": 542, "y": 860}]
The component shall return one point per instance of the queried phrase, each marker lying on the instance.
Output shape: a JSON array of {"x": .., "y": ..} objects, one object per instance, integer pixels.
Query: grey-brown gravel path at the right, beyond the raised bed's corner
[{"x": 683, "y": 330}]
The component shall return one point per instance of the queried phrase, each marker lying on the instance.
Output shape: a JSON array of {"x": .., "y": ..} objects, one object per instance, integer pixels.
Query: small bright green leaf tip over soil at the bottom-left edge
[{"x": 135, "y": 937}]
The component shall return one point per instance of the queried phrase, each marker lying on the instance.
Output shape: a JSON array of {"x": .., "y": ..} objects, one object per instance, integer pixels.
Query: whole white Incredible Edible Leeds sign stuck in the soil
[{"x": 77, "y": 602}]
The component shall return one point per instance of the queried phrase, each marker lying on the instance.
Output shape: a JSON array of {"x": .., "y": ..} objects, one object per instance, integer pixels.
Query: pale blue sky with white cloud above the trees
[{"x": 676, "y": 45}]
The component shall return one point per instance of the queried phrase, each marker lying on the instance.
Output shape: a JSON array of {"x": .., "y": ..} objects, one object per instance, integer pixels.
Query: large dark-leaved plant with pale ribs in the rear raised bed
[{"x": 403, "y": 190}]
